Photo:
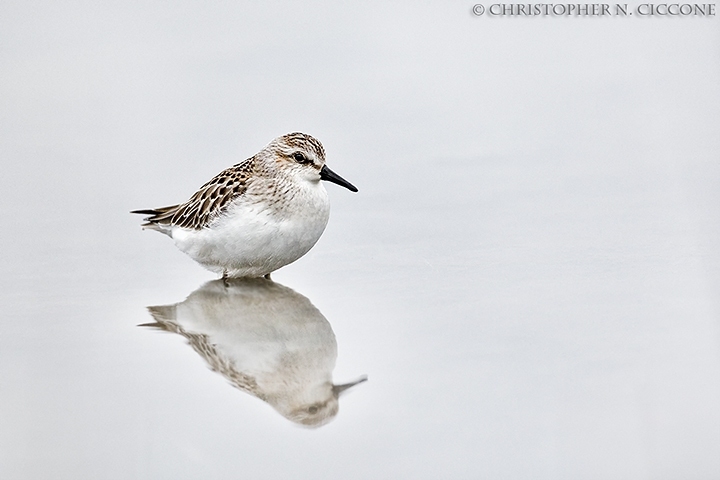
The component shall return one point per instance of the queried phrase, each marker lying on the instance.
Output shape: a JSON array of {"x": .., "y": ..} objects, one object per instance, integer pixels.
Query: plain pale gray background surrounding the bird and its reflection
[{"x": 529, "y": 274}]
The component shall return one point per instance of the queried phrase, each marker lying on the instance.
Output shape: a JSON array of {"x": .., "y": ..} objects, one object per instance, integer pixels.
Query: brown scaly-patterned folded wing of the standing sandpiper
[{"x": 207, "y": 203}]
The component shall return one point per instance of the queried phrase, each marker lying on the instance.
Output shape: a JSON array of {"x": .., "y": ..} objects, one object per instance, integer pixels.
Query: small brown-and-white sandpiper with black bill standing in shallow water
[{"x": 258, "y": 215}]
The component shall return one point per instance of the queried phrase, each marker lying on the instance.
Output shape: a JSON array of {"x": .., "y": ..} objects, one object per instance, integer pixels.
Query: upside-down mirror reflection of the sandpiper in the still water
[{"x": 266, "y": 339}]
